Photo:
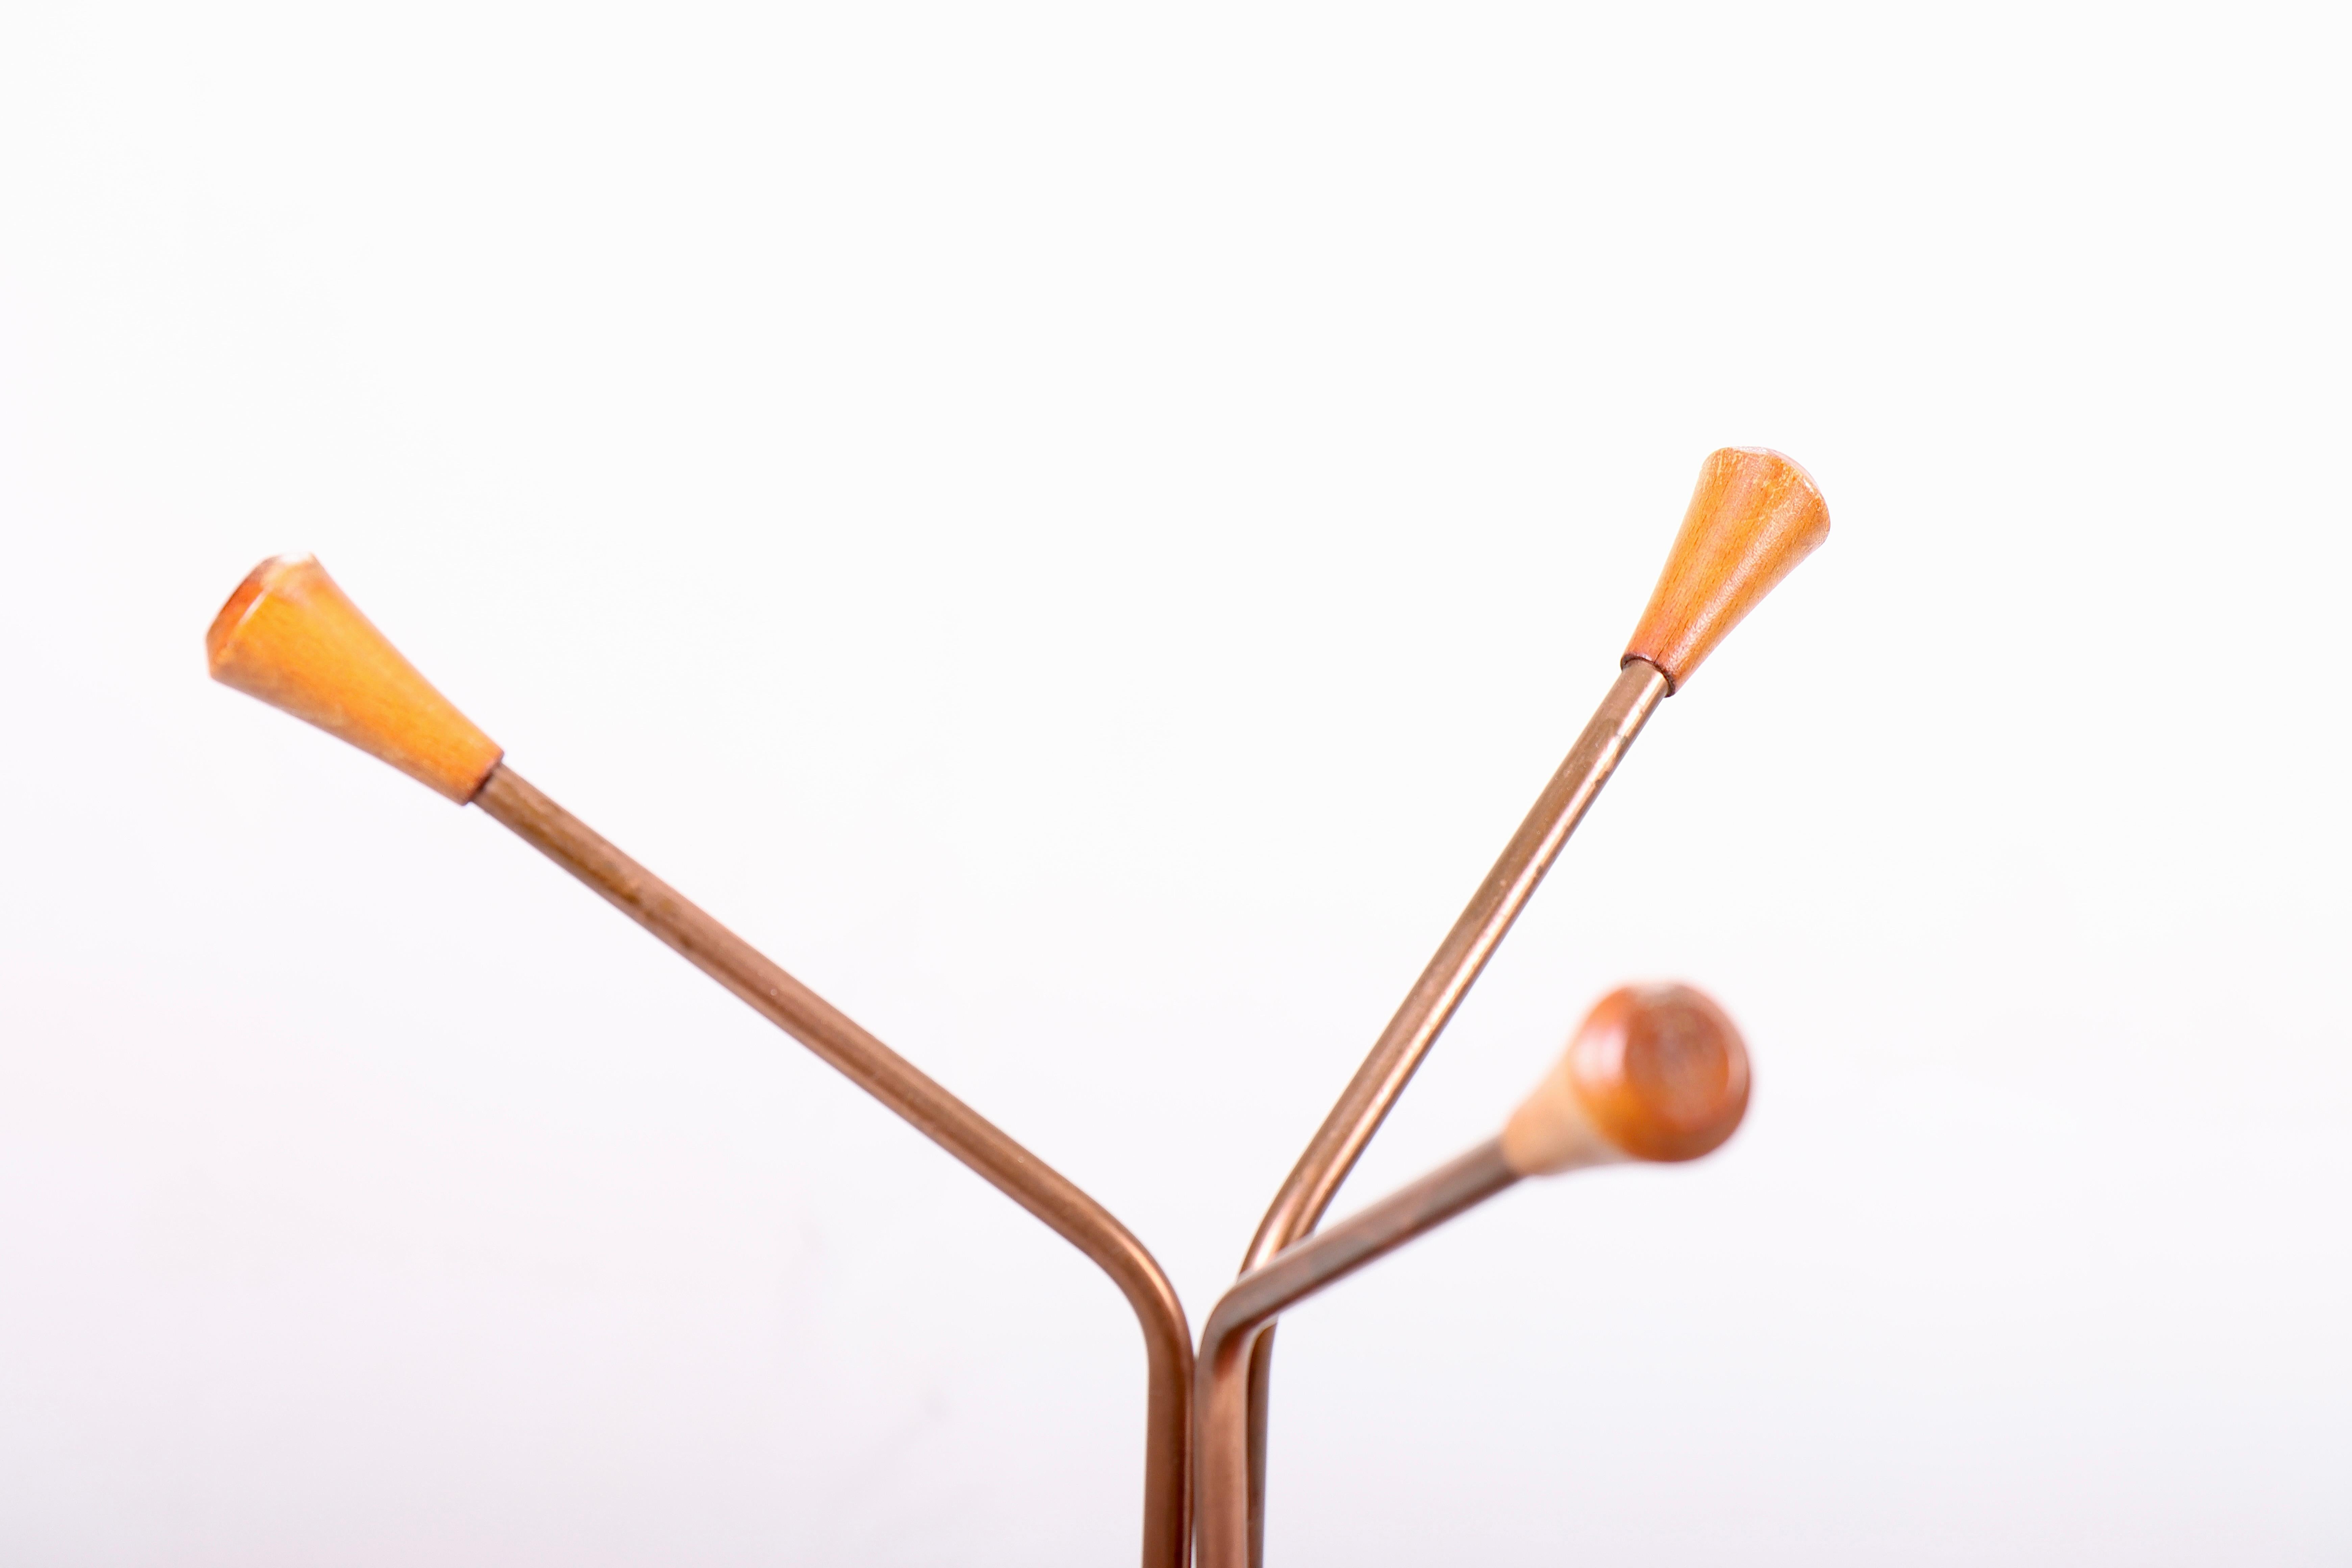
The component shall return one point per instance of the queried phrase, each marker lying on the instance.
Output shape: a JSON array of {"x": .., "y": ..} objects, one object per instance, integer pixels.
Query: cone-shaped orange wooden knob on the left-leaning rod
[{"x": 290, "y": 638}]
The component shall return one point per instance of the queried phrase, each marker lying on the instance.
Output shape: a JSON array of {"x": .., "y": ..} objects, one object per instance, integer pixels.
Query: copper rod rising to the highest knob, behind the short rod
[{"x": 1431, "y": 1005}]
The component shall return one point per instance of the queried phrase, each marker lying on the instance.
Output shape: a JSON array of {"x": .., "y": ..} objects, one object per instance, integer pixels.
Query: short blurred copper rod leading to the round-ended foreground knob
[{"x": 1241, "y": 1322}]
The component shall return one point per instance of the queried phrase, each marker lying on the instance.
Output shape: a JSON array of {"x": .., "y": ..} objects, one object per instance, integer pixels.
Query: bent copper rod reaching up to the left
[{"x": 935, "y": 1113}]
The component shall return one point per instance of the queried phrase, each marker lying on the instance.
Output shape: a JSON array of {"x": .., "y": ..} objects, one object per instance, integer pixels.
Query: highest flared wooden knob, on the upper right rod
[{"x": 1751, "y": 521}]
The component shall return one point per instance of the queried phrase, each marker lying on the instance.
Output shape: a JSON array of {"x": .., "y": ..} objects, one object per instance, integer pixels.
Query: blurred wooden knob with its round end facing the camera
[{"x": 1655, "y": 1073}]
